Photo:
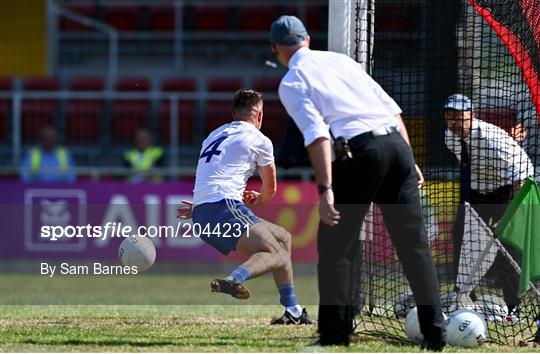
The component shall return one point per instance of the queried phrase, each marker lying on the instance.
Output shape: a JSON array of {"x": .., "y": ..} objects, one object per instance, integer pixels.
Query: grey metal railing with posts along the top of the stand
[{"x": 178, "y": 36}]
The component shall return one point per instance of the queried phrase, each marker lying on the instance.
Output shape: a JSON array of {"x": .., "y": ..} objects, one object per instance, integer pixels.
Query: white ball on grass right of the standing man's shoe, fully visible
[{"x": 465, "y": 328}]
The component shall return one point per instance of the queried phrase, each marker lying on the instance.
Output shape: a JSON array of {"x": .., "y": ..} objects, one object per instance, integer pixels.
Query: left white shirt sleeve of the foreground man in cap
[{"x": 300, "y": 107}]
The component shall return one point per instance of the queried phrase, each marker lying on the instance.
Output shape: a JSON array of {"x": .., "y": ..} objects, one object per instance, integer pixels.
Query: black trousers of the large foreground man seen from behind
[{"x": 382, "y": 170}]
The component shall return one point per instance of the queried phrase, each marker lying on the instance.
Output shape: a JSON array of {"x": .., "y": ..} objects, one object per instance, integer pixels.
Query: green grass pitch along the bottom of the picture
[{"x": 192, "y": 320}]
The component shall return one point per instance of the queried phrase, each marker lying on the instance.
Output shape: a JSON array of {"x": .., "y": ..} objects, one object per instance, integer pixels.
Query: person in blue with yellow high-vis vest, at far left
[{"x": 48, "y": 162}]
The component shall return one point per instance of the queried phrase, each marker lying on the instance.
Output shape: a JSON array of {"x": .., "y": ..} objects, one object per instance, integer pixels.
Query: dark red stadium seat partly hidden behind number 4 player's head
[{"x": 217, "y": 112}]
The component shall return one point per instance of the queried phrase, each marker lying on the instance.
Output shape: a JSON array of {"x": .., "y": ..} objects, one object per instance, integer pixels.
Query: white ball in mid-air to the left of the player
[{"x": 137, "y": 251}]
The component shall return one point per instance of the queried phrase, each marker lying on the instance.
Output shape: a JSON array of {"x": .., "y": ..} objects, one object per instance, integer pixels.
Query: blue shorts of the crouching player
[{"x": 221, "y": 224}]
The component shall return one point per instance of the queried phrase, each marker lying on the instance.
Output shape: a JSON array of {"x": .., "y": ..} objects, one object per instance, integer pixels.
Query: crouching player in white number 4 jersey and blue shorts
[{"x": 229, "y": 156}]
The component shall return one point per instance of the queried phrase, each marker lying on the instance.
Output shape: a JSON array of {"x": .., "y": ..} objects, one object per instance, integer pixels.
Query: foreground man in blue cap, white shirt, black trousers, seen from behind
[{"x": 329, "y": 95}]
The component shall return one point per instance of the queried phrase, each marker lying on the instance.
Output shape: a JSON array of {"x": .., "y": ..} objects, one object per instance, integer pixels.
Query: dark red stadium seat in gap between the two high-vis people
[{"x": 83, "y": 116}]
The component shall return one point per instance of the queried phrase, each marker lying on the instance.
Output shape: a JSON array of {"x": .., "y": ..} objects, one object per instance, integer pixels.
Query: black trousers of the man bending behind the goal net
[{"x": 491, "y": 207}]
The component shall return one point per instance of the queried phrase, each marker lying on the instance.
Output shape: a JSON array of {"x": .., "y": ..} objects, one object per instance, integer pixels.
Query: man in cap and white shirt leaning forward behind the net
[{"x": 493, "y": 167}]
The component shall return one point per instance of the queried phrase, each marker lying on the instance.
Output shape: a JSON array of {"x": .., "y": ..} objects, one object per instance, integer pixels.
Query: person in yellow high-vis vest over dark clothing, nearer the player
[{"x": 144, "y": 158}]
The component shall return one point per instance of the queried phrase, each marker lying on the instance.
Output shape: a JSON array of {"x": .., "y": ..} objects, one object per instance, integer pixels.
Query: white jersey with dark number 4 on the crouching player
[{"x": 229, "y": 156}]
